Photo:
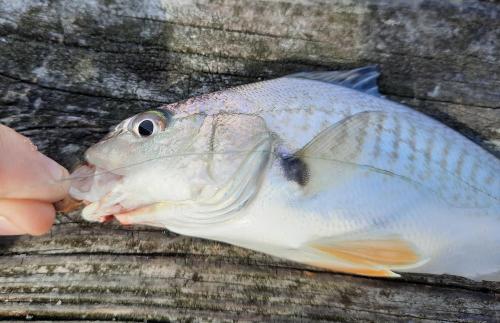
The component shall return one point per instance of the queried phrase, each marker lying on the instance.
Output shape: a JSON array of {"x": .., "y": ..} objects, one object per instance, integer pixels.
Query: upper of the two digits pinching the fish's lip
[{"x": 25, "y": 173}]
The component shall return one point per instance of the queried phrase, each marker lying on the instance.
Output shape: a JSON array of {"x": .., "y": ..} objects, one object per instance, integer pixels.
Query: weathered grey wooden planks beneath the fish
[{"x": 71, "y": 69}]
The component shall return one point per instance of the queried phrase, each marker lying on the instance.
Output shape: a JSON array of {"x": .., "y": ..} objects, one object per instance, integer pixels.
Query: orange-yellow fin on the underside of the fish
[{"x": 367, "y": 256}]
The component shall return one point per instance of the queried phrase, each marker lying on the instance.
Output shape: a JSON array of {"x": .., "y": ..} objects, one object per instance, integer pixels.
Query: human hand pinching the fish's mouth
[{"x": 29, "y": 183}]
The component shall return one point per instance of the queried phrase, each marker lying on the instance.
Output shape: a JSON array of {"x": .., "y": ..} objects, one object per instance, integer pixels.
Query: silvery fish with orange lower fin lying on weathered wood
[{"x": 315, "y": 167}]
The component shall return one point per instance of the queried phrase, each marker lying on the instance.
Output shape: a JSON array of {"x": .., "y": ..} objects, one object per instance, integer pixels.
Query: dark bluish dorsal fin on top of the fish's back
[{"x": 363, "y": 79}]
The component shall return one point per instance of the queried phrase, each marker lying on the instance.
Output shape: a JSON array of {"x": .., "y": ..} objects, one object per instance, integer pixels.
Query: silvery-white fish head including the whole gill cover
[{"x": 185, "y": 171}]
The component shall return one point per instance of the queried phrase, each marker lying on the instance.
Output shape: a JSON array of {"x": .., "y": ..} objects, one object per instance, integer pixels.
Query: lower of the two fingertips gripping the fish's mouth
[{"x": 25, "y": 217}]
